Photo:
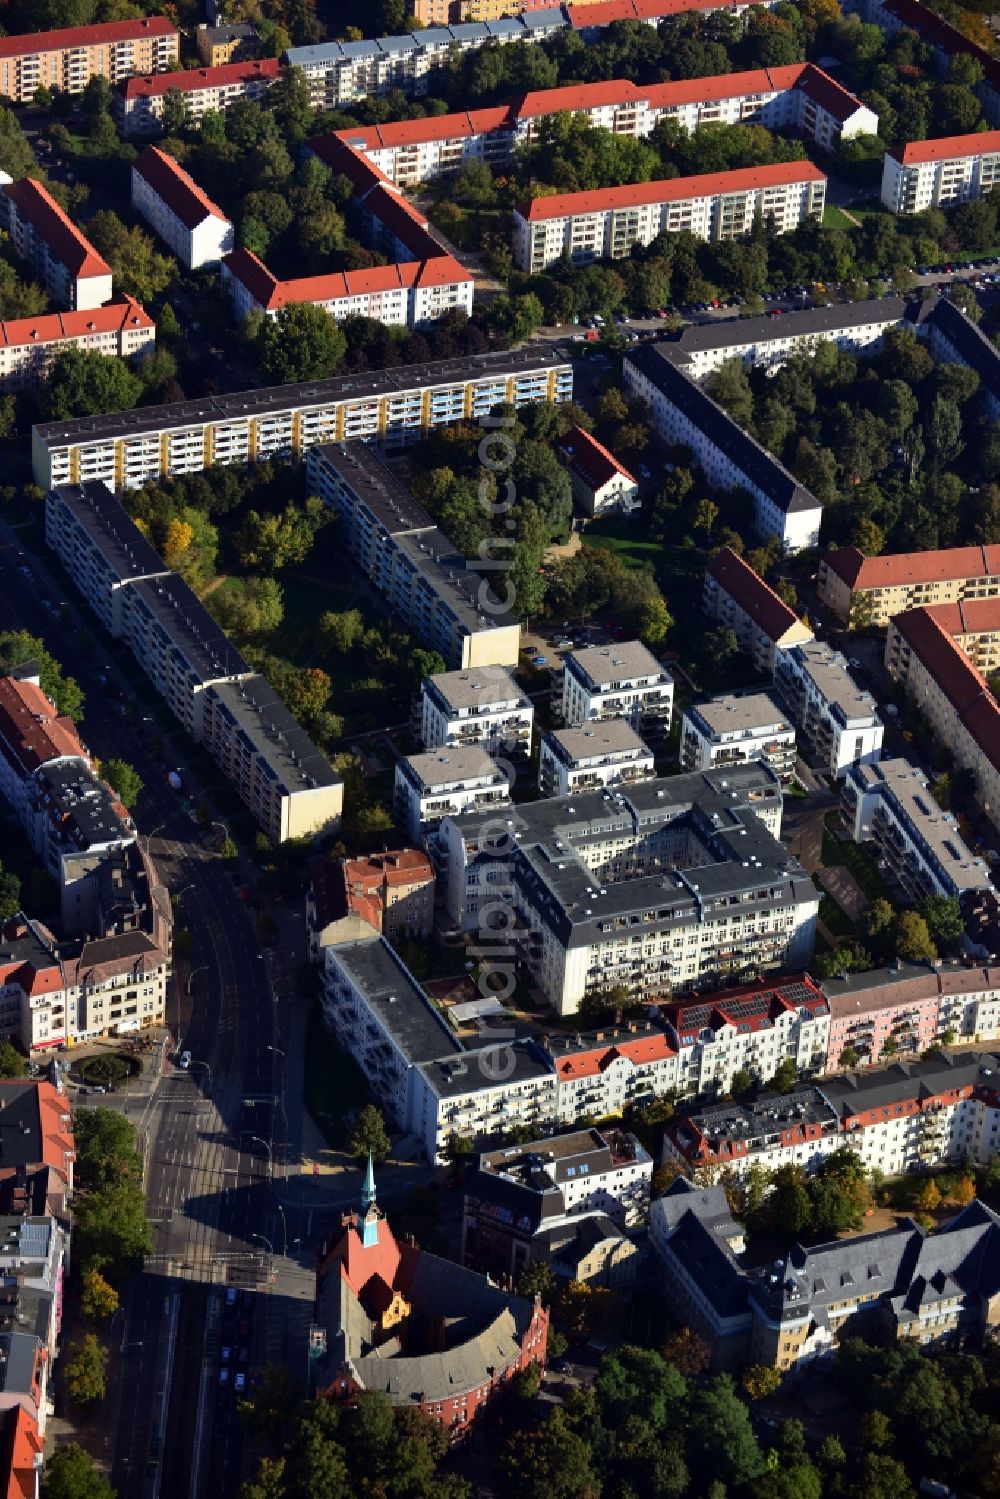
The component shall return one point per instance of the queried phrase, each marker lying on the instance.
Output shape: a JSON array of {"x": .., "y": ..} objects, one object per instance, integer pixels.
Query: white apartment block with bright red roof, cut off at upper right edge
[{"x": 933, "y": 175}]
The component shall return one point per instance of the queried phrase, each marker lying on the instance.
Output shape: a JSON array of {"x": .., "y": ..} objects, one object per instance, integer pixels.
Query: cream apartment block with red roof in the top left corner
[{"x": 67, "y": 61}]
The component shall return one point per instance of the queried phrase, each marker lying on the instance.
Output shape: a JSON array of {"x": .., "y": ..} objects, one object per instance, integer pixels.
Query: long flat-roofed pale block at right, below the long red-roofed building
[{"x": 891, "y": 806}]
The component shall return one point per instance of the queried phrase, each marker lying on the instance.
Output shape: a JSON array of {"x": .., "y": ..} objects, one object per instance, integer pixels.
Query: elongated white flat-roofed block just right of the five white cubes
[{"x": 837, "y": 719}]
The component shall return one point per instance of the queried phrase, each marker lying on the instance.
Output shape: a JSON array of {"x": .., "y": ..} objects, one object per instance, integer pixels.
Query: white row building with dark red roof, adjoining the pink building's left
[{"x": 750, "y": 1029}]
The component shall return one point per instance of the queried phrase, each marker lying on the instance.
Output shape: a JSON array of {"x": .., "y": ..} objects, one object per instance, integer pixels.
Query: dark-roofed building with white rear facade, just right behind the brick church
[{"x": 537, "y": 1203}]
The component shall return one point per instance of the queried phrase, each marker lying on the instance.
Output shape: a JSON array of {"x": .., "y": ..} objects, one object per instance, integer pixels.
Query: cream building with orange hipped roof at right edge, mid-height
[{"x": 867, "y": 593}]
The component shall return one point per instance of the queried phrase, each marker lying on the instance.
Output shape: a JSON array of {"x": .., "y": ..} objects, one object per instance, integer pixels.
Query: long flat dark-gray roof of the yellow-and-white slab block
[{"x": 244, "y": 404}]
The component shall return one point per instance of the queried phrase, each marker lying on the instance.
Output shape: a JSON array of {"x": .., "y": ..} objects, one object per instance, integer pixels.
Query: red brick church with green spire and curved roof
[{"x": 422, "y": 1329}]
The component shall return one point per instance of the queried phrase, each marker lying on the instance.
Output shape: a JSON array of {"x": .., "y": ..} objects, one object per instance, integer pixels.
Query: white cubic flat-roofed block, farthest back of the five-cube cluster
[{"x": 618, "y": 681}]
